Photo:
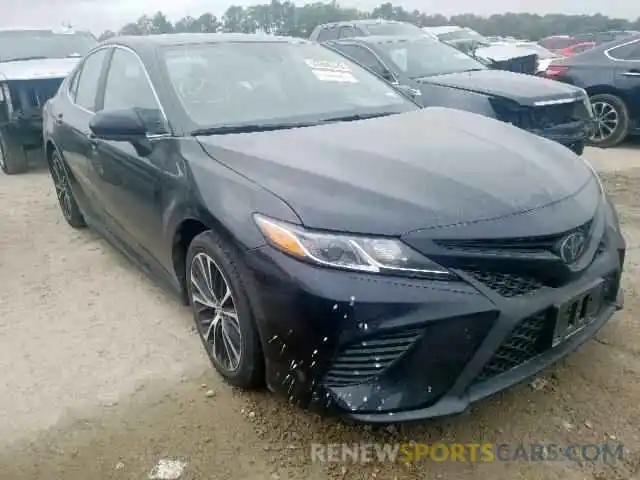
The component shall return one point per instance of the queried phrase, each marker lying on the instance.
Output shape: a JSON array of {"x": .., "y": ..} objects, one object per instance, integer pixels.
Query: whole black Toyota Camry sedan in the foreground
[{"x": 335, "y": 241}]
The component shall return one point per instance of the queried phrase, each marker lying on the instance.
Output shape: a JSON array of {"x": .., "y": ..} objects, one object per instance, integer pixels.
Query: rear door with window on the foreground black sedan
[{"x": 72, "y": 116}]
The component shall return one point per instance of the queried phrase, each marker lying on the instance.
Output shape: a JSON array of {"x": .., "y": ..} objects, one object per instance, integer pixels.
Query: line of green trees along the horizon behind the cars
[{"x": 285, "y": 18}]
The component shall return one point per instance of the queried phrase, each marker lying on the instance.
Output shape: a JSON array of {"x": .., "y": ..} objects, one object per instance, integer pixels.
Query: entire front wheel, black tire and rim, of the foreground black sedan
[{"x": 249, "y": 372}]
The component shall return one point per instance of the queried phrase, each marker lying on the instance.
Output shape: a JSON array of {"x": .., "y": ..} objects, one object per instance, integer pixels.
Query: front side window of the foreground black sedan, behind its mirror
[{"x": 127, "y": 86}]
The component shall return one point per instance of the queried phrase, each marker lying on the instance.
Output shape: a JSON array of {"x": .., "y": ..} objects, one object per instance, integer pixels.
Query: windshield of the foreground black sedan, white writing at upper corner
[{"x": 246, "y": 83}]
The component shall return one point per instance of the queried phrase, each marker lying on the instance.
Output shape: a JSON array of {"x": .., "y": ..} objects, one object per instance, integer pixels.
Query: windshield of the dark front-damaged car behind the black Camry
[{"x": 425, "y": 58}]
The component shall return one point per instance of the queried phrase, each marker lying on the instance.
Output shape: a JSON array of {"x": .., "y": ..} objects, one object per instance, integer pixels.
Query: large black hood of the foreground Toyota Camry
[{"x": 390, "y": 175}]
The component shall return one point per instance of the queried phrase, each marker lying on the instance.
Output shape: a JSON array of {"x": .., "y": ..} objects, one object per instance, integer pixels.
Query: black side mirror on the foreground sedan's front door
[{"x": 122, "y": 125}]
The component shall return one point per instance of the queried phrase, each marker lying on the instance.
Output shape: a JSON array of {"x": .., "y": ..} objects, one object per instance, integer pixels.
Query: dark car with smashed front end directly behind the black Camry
[{"x": 436, "y": 74}]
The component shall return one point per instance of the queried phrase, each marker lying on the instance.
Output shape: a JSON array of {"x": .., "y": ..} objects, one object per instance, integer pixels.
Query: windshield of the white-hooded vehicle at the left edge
[{"x": 17, "y": 45}]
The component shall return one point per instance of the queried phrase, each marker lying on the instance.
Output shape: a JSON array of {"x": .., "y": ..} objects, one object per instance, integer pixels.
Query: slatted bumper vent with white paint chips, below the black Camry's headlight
[{"x": 361, "y": 361}]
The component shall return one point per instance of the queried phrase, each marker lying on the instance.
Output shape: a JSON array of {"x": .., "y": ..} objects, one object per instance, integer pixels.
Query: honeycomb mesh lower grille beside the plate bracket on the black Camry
[{"x": 527, "y": 340}]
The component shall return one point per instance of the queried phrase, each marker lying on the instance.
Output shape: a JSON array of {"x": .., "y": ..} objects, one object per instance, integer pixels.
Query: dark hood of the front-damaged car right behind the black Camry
[{"x": 524, "y": 89}]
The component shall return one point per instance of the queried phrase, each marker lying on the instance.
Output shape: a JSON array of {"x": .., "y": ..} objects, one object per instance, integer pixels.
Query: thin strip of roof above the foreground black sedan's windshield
[{"x": 170, "y": 39}]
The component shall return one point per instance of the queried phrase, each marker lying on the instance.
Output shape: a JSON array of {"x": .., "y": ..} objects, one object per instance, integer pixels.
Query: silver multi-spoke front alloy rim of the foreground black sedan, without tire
[{"x": 216, "y": 313}]
